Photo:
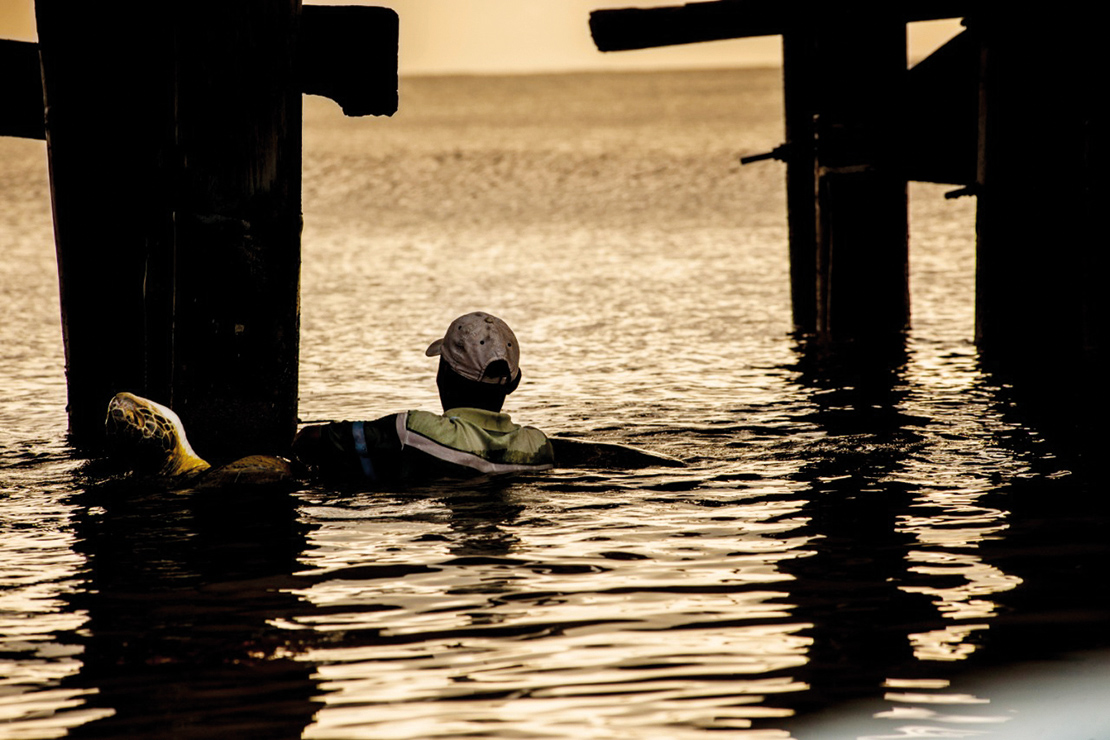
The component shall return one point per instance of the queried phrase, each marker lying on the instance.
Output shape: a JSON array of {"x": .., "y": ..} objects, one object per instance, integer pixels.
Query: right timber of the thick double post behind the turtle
[{"x": 238, "y": 219}]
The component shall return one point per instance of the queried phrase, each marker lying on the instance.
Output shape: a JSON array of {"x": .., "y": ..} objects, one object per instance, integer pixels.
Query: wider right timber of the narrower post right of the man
[{"x": 862, "y": 200}]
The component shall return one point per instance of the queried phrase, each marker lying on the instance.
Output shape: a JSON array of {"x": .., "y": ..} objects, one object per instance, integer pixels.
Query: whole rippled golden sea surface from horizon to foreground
[{"x": 853, "y": 552}]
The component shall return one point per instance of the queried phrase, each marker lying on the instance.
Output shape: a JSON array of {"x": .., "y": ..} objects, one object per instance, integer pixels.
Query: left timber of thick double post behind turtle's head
[{"x": 105, "y": 69}]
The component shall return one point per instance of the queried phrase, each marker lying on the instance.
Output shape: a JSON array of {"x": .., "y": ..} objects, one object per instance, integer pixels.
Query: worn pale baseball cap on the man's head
[{"x": 473, "y": 343}]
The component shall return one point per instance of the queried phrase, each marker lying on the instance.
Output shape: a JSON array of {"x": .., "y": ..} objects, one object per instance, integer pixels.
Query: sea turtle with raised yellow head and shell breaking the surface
[{"x": 150, "y": 439}]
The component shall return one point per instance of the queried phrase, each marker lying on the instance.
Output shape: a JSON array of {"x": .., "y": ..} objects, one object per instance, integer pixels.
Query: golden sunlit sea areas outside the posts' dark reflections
[{"x": 589, "y": 605}]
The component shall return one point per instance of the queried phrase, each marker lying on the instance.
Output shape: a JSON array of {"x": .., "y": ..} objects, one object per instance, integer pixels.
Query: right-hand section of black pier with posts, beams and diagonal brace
[{"x": 1011, "y": 113}]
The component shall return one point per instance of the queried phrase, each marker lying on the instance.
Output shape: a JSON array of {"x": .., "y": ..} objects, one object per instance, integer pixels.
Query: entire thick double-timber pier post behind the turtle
[{"x": 175, "y": 140}]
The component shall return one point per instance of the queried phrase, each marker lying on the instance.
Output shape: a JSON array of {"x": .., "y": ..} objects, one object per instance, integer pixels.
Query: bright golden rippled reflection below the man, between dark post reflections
[{"x": 602, "y": 623}]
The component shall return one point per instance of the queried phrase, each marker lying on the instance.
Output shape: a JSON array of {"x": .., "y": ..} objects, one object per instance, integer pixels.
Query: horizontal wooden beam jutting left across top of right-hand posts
[{"x": 622, "y": 29}]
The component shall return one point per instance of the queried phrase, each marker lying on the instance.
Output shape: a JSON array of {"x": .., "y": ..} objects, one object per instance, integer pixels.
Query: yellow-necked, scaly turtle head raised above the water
[{"x": 149, "y": 438}]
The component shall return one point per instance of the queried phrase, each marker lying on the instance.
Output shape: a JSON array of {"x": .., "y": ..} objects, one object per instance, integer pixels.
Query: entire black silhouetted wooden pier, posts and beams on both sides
[{"x": 174, "y": 131}]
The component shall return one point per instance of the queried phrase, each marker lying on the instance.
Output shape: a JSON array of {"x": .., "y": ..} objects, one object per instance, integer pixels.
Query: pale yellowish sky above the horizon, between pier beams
[{"x": 530, "y": 36}]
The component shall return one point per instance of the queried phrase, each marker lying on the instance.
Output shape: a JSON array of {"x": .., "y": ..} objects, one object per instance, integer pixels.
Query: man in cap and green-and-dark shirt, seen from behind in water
[{"x": 479, "y": 367}]
